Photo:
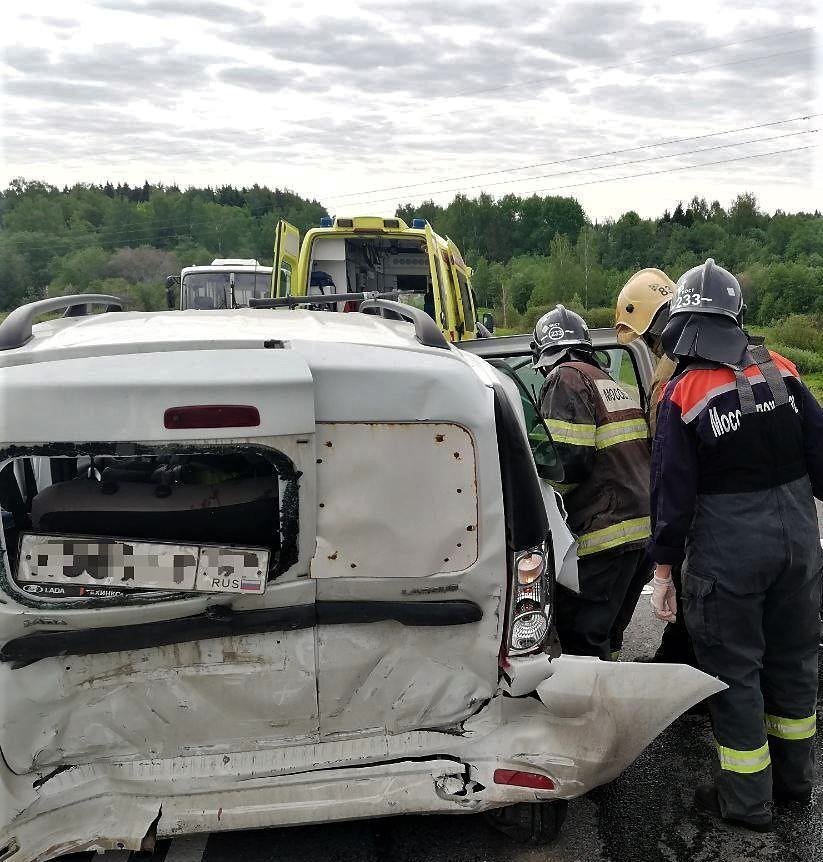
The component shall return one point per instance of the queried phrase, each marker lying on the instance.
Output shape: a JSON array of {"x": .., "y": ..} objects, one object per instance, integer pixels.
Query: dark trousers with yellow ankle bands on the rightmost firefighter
[{"x": 751, "y": 594}]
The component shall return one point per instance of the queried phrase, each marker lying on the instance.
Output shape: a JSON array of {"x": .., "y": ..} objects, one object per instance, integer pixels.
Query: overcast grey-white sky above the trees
[{"x": 364, "y": 105}]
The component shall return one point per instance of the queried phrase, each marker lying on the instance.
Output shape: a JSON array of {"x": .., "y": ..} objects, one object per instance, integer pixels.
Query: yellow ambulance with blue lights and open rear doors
[{"x": 369, "y": 254}]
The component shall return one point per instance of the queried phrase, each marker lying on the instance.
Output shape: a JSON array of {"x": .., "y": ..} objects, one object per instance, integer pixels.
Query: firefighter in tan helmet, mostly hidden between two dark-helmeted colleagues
[{"x": 642, "y": 311}]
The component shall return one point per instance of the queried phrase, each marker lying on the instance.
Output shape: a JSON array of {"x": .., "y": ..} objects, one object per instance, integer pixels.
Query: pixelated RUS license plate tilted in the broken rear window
[{"x": 72, "y": 566}]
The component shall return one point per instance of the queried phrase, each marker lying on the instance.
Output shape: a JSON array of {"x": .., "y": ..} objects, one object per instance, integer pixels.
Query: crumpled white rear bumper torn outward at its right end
[{"x": 592, "y": 719}]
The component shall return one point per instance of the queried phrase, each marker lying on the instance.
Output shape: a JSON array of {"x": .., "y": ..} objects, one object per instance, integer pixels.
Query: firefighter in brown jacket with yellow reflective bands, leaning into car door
[{"x": 602, "y": 440}]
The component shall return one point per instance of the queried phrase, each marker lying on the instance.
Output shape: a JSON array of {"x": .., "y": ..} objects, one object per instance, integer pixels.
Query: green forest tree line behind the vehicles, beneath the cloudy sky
[{"x": 527, "y": 252}]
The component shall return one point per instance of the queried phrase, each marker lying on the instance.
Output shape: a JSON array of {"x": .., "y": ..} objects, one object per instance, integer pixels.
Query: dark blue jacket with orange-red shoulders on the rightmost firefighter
[{"x": 704, "y": 446}]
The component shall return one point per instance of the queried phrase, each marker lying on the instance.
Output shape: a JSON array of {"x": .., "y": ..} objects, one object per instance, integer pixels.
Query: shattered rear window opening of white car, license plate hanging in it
[{"x": 148, "y": 519}]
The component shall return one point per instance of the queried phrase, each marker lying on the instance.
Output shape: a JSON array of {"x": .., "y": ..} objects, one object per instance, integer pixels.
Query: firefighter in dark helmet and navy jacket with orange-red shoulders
[{"x": 736, "y": 461}]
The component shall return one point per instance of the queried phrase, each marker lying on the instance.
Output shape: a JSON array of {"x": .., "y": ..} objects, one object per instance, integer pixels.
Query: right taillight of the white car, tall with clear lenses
[{"x": 530, "y": 611}]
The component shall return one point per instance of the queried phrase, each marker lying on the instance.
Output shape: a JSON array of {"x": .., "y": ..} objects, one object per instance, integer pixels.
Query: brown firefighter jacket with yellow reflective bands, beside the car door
[{"x": 602, "y": 438}]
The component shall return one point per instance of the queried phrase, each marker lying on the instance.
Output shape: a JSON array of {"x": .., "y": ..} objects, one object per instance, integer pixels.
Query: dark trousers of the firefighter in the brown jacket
[{"x": 585, "y": 621}]
